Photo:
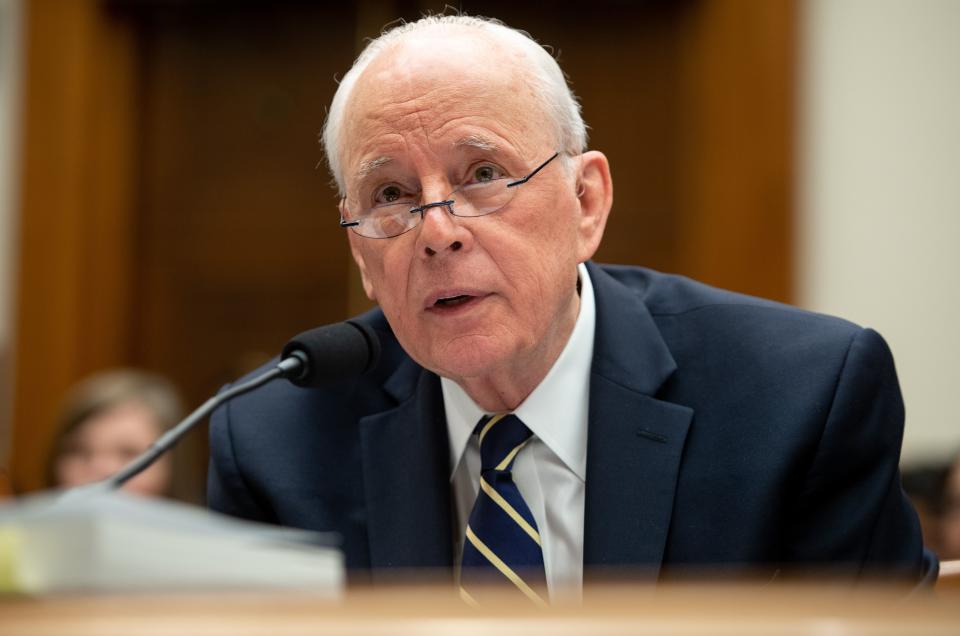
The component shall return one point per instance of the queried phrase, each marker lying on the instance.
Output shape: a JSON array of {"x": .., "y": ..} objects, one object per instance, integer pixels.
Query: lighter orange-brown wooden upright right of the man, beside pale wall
[{"x": 735, "y": 141}]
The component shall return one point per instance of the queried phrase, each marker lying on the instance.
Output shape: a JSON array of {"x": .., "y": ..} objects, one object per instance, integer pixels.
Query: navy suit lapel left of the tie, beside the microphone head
[{"x": 406, "y": 476}]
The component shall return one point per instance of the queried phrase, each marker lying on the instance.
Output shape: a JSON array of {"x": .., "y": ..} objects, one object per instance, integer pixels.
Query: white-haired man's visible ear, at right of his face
[{"x": 595, "y": 193}]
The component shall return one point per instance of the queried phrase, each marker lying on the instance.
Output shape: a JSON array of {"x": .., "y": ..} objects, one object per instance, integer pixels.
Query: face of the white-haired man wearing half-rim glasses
[{"x": 426, "y": 119}]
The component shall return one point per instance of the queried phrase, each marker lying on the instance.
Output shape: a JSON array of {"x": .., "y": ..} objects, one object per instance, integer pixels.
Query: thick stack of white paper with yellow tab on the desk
[{"x": 116, "y": 542}]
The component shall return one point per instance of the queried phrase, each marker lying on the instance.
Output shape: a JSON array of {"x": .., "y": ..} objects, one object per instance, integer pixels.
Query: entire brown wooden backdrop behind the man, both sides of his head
[{"x": 176, "y": 214}]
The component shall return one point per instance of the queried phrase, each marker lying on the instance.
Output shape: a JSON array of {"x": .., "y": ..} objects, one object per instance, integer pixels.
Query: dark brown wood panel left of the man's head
[{"x": 239, "y": 246}]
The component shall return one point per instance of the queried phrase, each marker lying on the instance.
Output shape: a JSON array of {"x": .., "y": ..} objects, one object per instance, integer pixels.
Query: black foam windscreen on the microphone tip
[{"x": 334, "y": 352}]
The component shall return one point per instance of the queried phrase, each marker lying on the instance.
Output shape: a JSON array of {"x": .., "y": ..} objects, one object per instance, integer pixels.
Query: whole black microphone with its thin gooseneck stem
[{"x": 314, "y": 358}]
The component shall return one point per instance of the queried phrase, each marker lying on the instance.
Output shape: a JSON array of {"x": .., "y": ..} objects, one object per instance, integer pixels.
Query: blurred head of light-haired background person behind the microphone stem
[{"x": 108, "y": 419}]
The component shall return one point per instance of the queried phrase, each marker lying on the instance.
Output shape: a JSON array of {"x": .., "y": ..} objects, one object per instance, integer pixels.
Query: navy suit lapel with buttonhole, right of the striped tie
[{"x": 634, "y": 442}]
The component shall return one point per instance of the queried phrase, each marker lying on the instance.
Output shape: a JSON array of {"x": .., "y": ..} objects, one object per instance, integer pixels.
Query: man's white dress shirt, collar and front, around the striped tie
[{"x": 552, "y": 466}]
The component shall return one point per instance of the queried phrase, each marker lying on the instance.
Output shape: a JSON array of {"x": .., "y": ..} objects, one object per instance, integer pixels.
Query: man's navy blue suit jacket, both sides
[{"x": 725, "y": 432}]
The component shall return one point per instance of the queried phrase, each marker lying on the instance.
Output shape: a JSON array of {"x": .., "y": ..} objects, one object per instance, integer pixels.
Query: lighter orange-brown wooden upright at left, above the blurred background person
[{"x": 76, "y": 243}]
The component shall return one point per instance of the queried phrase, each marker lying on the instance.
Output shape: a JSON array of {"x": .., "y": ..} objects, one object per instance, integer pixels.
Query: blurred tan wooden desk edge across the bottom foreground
[{"x": 615, "y": 609}]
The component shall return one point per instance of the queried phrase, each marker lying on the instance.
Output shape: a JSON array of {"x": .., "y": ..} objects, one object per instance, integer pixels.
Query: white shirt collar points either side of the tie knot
[{"x": 557, "y": 409}]
